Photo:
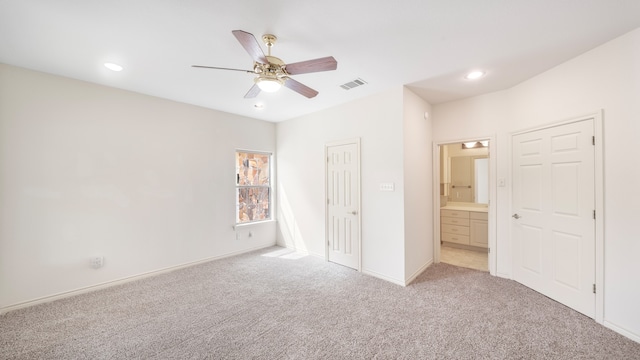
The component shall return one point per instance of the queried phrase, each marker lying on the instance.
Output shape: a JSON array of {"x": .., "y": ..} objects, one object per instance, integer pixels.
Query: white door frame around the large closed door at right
[{"x": 598, "y": 131}]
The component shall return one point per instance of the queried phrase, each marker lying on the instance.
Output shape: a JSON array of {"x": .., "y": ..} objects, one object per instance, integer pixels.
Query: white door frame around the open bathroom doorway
[{"x": 492, "y": 258}]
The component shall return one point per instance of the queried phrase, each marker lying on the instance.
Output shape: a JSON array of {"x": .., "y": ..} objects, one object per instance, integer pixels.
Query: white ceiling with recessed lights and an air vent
[{"x": 427, "y": 45}]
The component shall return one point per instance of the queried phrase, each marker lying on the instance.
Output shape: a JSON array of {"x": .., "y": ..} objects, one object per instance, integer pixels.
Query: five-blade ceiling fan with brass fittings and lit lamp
[{"x": 271, "y": 72}]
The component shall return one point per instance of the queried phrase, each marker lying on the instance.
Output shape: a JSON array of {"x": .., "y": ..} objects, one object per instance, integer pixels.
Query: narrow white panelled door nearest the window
[{"x": 343, "y": 204}]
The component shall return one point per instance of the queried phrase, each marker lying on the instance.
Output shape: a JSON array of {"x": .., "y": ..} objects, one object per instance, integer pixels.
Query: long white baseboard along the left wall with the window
[{"x": 83, "y": 290}]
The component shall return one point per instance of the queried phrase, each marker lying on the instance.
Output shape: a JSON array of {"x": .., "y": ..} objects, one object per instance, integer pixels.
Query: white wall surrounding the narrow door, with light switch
[{"x": 377, "y": 121}]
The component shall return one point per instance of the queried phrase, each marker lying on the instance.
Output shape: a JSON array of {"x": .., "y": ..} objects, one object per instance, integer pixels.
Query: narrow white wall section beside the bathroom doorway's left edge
[{"x": 418, "y": 185}]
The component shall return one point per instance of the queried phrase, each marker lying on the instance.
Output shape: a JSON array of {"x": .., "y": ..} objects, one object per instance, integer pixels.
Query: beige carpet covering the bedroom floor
[{"x": 271, "y": 305}]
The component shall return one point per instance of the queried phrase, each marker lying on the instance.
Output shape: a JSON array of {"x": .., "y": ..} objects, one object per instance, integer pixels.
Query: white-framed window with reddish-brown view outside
[{"x": 253, "y": 186}]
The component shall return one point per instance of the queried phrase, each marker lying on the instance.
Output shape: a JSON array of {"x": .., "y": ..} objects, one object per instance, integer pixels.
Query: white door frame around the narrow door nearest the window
[{"x": 355, "y": 141}]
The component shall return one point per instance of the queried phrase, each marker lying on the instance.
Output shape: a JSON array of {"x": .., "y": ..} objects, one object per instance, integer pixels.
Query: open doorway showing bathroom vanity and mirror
[{"x": 463, "y": 218}]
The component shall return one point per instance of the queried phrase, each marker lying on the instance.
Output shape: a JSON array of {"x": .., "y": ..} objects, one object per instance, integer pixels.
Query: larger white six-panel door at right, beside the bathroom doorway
[{"x": 553, "y": 228}]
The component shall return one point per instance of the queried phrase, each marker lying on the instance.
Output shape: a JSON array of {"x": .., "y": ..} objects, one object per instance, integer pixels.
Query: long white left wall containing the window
[{"x": 89, "y": 170}]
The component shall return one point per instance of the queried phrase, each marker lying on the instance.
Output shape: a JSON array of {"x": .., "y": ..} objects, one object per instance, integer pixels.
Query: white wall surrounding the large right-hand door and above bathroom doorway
[{"x": 607, "y": 78}]
